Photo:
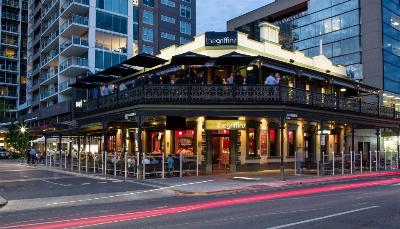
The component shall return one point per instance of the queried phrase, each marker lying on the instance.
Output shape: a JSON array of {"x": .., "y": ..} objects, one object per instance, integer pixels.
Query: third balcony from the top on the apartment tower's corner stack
[{"x": 76, "y": 46}]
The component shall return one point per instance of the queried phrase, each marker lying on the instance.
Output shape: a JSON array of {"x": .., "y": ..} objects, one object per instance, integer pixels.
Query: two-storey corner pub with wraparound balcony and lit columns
[{"x": 312, "y": 115}]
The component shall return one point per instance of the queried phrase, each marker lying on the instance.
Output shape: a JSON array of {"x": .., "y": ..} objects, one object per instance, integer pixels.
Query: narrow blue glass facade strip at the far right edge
[{"x": 391, "y": 45}]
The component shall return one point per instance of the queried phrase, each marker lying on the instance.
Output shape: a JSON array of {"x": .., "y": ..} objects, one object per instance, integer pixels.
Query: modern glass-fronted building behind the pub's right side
[{"x": 362, "y": 35}]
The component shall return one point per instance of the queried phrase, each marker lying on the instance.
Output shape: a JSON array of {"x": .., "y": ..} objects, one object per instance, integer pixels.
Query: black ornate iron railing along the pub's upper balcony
[{"x": 224, "y": 94}]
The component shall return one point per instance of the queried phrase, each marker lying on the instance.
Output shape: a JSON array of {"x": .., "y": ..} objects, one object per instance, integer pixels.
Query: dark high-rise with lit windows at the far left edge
[{"x": 13, "y": 57}]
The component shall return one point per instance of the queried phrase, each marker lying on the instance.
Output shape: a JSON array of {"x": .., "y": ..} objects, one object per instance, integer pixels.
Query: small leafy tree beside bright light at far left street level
[{"x": 18, "y": 138}]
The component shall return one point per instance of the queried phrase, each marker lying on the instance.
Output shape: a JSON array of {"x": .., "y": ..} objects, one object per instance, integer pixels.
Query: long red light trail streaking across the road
[{"x": 108, "y": 219}]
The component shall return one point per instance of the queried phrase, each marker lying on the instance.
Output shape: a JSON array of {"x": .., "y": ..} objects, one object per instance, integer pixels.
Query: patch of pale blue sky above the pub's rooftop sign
[{"x": 212, "y": 15}]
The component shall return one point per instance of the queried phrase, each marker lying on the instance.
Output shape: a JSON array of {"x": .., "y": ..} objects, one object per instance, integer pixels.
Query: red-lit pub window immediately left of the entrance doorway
[{"x": 184, "y": 142}]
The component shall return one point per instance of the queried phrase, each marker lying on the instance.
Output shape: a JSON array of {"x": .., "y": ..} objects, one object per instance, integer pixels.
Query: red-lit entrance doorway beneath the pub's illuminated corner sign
[{"x": 221, "y": 151}]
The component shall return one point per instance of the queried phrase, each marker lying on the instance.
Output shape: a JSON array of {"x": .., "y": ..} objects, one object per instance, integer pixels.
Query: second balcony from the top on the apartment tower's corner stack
[{"x": 75, "y": 25}]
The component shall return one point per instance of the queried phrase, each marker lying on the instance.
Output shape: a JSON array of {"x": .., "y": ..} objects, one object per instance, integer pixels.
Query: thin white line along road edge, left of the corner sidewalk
[{"x": 127, "y": 194}]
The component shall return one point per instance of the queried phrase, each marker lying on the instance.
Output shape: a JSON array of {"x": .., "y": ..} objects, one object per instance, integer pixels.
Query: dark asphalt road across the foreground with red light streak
[{"x": 47, "y": 199}]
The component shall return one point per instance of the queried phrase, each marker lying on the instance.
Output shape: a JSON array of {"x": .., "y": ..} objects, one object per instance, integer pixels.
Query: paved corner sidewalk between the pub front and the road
[{"x": 239, "y": 182}]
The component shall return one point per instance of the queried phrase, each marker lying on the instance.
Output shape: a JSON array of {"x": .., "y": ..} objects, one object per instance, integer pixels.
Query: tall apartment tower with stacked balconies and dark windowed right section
[{"x": 72, "y": 38}]
